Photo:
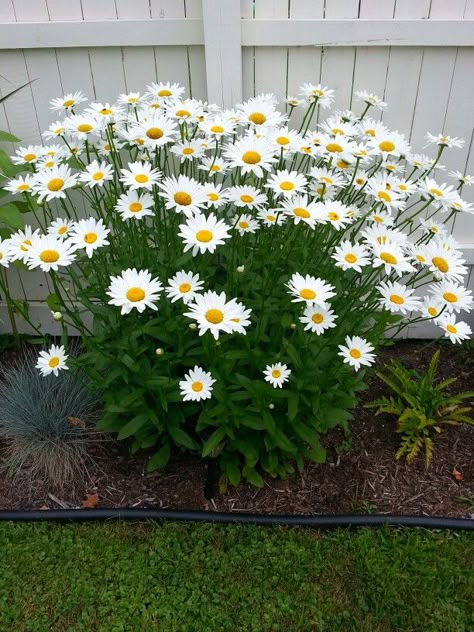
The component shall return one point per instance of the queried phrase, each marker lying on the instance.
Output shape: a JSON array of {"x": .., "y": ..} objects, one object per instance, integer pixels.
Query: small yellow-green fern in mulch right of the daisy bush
[{"x": 422, "y": 406}]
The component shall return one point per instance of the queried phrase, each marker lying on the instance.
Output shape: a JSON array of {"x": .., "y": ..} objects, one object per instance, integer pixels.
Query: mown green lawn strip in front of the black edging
[{"x": 191, "y": 578}]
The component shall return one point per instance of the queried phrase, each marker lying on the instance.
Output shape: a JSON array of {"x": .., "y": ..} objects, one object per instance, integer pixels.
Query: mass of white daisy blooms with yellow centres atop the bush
[{"x": 228, "y": 174}]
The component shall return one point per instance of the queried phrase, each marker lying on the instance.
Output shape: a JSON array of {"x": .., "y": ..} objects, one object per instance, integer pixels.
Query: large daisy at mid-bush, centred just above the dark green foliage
[{"x": 203, "y": 234}]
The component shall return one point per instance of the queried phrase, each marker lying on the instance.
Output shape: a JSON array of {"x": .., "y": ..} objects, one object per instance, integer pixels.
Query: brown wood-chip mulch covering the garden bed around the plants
[{"x": 364, "y": 479}]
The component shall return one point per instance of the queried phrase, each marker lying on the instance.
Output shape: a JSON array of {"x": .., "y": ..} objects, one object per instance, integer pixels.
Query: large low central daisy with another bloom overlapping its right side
[{"x": 212, "y": 312}]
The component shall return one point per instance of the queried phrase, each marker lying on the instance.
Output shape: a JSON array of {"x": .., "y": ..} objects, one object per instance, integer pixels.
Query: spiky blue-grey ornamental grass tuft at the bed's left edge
[{"x": 46, "y": 422}]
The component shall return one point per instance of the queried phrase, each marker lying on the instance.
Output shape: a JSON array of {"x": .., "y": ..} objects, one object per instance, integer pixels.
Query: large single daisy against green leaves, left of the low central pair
[{"x": 134, "y": 289}]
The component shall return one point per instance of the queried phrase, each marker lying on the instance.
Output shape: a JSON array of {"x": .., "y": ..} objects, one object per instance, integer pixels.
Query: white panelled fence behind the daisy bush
[{"x": 417, "y": 54}]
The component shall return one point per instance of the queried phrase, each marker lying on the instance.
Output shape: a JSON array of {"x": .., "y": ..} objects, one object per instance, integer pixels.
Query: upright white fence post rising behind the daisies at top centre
[{"x": 223, "y": 50}]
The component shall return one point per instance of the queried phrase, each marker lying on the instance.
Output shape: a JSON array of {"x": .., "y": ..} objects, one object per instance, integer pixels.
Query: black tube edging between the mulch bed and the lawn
[{"x": 318, "y": 522}]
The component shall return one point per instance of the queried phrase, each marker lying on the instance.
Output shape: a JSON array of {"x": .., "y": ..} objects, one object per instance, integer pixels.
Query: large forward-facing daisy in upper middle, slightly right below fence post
[{"x": 251, "y": 154}]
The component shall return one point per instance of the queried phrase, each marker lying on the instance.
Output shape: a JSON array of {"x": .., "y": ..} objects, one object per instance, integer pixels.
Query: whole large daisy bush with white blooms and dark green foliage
[{"x": 232, "y": 277}]
